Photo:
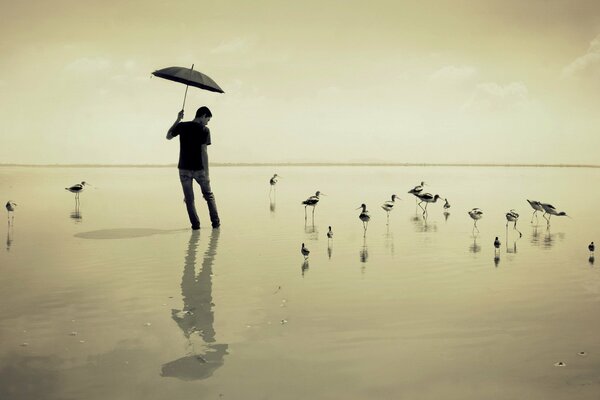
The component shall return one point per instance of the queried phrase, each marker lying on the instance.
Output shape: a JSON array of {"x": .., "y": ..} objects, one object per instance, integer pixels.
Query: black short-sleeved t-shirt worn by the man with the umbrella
[{"x": 192, "y": 136}]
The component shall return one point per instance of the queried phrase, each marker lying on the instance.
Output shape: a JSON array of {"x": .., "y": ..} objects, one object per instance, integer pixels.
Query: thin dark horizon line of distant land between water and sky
[{"x": 312, "y": 164}]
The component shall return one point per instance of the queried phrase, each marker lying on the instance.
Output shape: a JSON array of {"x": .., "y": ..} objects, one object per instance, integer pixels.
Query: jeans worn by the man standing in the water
[{"x": 187, "y": 178}]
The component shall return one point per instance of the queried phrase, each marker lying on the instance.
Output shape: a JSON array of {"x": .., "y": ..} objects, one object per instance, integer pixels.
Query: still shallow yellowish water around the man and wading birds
[{"x": 117, "y": 298}]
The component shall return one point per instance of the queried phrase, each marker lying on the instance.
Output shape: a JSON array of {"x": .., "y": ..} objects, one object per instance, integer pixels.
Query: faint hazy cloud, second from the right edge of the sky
[{"x": 494, "y": 96}]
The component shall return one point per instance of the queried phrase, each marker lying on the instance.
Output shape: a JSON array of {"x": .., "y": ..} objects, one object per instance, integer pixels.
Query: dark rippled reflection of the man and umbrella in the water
[{"x": 197, "y": 317}]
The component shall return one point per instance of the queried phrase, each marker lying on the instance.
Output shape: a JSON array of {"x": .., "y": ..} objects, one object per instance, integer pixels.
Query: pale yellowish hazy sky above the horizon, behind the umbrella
[{"x": 484, "y": 81}]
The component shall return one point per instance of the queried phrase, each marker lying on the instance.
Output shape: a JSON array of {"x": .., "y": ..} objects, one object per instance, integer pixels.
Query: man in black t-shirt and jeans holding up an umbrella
[{"x": 194, "y": 136}]
